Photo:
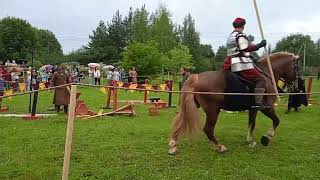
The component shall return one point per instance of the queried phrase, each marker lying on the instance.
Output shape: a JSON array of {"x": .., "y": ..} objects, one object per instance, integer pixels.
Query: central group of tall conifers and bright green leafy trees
[{"x": 151, "y": 42}]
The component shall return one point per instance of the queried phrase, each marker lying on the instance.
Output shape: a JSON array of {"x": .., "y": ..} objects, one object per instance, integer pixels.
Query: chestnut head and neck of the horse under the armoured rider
[{"x": 285, "y": 65}]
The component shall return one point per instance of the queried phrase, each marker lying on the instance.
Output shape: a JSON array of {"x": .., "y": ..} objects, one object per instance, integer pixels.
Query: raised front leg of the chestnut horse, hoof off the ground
[{"x": 275, "y": 120}]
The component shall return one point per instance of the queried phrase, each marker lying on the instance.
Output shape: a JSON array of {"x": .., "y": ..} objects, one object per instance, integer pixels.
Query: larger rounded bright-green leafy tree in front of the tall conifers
[{"x": 146, "y": 57}]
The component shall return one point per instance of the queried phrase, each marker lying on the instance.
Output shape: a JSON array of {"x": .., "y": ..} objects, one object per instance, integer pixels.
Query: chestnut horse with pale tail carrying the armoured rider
[{"x": 284, "y": 66}]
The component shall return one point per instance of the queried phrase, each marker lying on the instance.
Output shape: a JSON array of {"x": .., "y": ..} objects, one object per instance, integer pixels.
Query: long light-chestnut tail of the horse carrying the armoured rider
[{"x": 187, "y": 119}]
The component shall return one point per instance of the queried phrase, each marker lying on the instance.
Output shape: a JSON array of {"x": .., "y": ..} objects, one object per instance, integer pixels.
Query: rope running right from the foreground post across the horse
[{"x": 206, "y": 93}]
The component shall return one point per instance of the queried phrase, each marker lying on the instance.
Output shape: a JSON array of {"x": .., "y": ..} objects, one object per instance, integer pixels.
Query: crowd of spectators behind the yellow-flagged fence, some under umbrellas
[{"x": 12, "y": 74}]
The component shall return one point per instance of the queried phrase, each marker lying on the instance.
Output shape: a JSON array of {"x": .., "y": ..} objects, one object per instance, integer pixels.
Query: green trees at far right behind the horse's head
[{"x": 295, "y": 42}]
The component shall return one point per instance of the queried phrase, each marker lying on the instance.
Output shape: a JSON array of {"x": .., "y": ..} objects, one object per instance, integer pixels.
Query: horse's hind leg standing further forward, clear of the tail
[{"x": 212, "y": 116}]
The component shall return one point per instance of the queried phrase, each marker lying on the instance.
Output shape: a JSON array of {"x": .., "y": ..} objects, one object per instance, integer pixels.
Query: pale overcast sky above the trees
[{"x": 72, "y": 21}]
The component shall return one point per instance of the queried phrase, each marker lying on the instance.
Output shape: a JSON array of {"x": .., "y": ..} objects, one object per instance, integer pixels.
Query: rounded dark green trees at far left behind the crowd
[{"x": 19, "y": 40}]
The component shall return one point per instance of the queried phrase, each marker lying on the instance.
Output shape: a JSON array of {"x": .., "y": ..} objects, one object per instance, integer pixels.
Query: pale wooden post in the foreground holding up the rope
[{"x": 67, "y": 150}]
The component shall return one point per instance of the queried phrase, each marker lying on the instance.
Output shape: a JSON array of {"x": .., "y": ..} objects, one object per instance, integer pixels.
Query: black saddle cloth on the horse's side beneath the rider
[{"x": 236, "y": 84}]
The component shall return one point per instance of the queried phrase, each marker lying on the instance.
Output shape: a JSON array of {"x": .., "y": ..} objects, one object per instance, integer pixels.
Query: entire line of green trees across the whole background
[{"x": 151, "y": 42}]
